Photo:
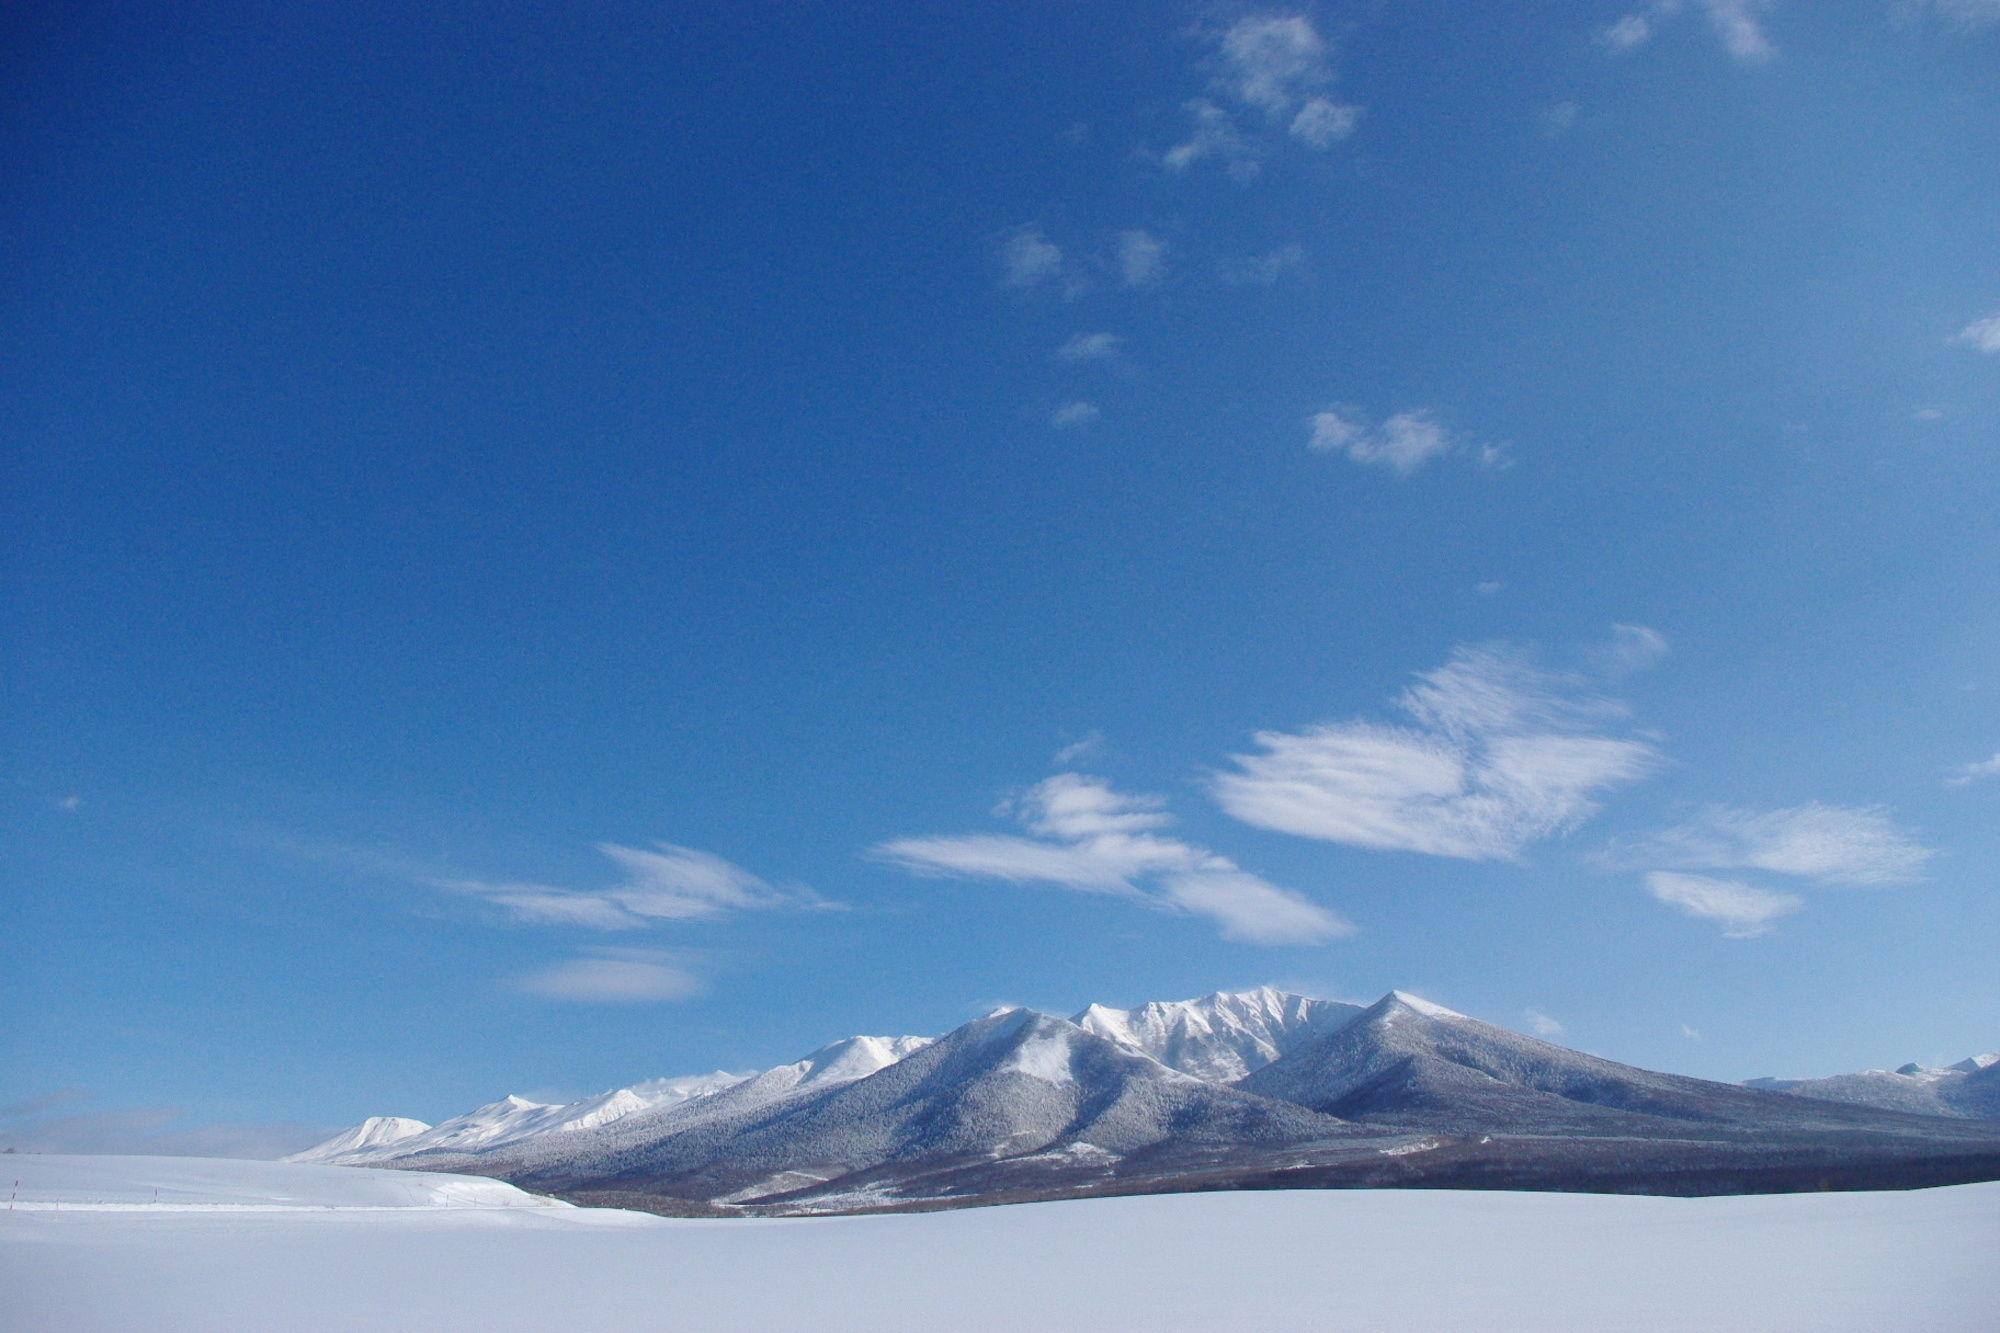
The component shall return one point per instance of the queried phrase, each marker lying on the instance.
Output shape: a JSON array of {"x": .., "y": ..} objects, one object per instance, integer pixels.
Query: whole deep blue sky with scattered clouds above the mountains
[{"x": 553, "y": 549}]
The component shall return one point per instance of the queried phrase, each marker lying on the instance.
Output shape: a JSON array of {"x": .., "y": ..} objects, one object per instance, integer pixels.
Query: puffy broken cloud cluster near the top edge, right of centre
[{"x": 1273, "y": 69}]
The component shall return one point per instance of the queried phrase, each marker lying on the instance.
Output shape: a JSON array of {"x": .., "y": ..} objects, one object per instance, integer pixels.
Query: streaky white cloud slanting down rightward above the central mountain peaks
[{"x": 1089, "y": 838}]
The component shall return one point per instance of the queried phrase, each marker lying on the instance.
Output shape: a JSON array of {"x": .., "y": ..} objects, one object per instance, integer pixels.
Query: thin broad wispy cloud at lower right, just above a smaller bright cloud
[{"x": 1825, "y": 844}]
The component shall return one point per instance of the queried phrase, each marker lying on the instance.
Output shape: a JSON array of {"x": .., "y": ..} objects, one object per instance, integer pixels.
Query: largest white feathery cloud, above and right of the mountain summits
[{"x": 1501, "y": 756}]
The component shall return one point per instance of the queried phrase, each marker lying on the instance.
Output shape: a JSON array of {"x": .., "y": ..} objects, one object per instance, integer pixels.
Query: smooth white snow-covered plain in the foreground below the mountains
[{"x": 267, "y": 1246}]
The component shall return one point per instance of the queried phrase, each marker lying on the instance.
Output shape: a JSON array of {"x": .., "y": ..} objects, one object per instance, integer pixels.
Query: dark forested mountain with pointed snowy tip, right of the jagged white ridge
[{"x": 1413, "y": 1064}]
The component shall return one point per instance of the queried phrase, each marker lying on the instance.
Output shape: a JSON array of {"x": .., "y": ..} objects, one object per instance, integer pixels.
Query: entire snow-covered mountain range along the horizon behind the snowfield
[{"x": 1233, "y": 1090}]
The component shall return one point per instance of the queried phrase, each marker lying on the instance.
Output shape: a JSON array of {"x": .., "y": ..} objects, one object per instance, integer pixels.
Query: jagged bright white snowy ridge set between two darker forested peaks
[{"x": 1219, "y": 1038}]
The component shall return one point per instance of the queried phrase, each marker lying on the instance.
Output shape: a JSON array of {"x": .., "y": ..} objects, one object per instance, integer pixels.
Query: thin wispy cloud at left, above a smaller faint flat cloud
[{"x": 661, "y": 884}]
